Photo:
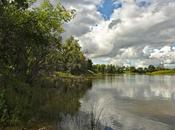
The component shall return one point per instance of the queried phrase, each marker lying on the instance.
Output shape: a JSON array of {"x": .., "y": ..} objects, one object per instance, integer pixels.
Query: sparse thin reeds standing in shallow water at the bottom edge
[{"x": 85, "y": 120}]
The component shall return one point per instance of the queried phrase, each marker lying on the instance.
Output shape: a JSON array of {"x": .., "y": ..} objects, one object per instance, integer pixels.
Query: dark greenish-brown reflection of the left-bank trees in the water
[{"x": 44, "y": 104}]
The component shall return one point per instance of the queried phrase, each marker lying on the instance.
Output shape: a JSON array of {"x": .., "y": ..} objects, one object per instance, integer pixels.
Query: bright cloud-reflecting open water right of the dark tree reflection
[{"x": 134, "y": 102}]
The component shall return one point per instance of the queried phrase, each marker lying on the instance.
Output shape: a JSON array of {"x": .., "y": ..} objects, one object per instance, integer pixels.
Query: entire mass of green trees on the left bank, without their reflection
[{"x": 31, "y": 44}]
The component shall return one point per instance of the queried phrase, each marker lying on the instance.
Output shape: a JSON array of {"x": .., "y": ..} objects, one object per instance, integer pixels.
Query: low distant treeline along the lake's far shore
[{"x": 114, "y": 69}]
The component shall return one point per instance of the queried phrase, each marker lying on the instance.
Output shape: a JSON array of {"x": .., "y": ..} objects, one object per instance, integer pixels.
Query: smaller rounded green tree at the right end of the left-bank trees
[{"x": 72, "y": 58}]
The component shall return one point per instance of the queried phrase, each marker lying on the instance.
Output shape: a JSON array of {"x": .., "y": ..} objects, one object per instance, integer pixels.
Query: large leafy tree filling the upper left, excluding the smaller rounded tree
[{"x": 29, "y": 38}]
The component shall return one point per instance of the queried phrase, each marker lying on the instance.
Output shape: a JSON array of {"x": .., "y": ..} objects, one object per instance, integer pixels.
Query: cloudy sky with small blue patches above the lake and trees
[{"x": 124, "y": 32}]
